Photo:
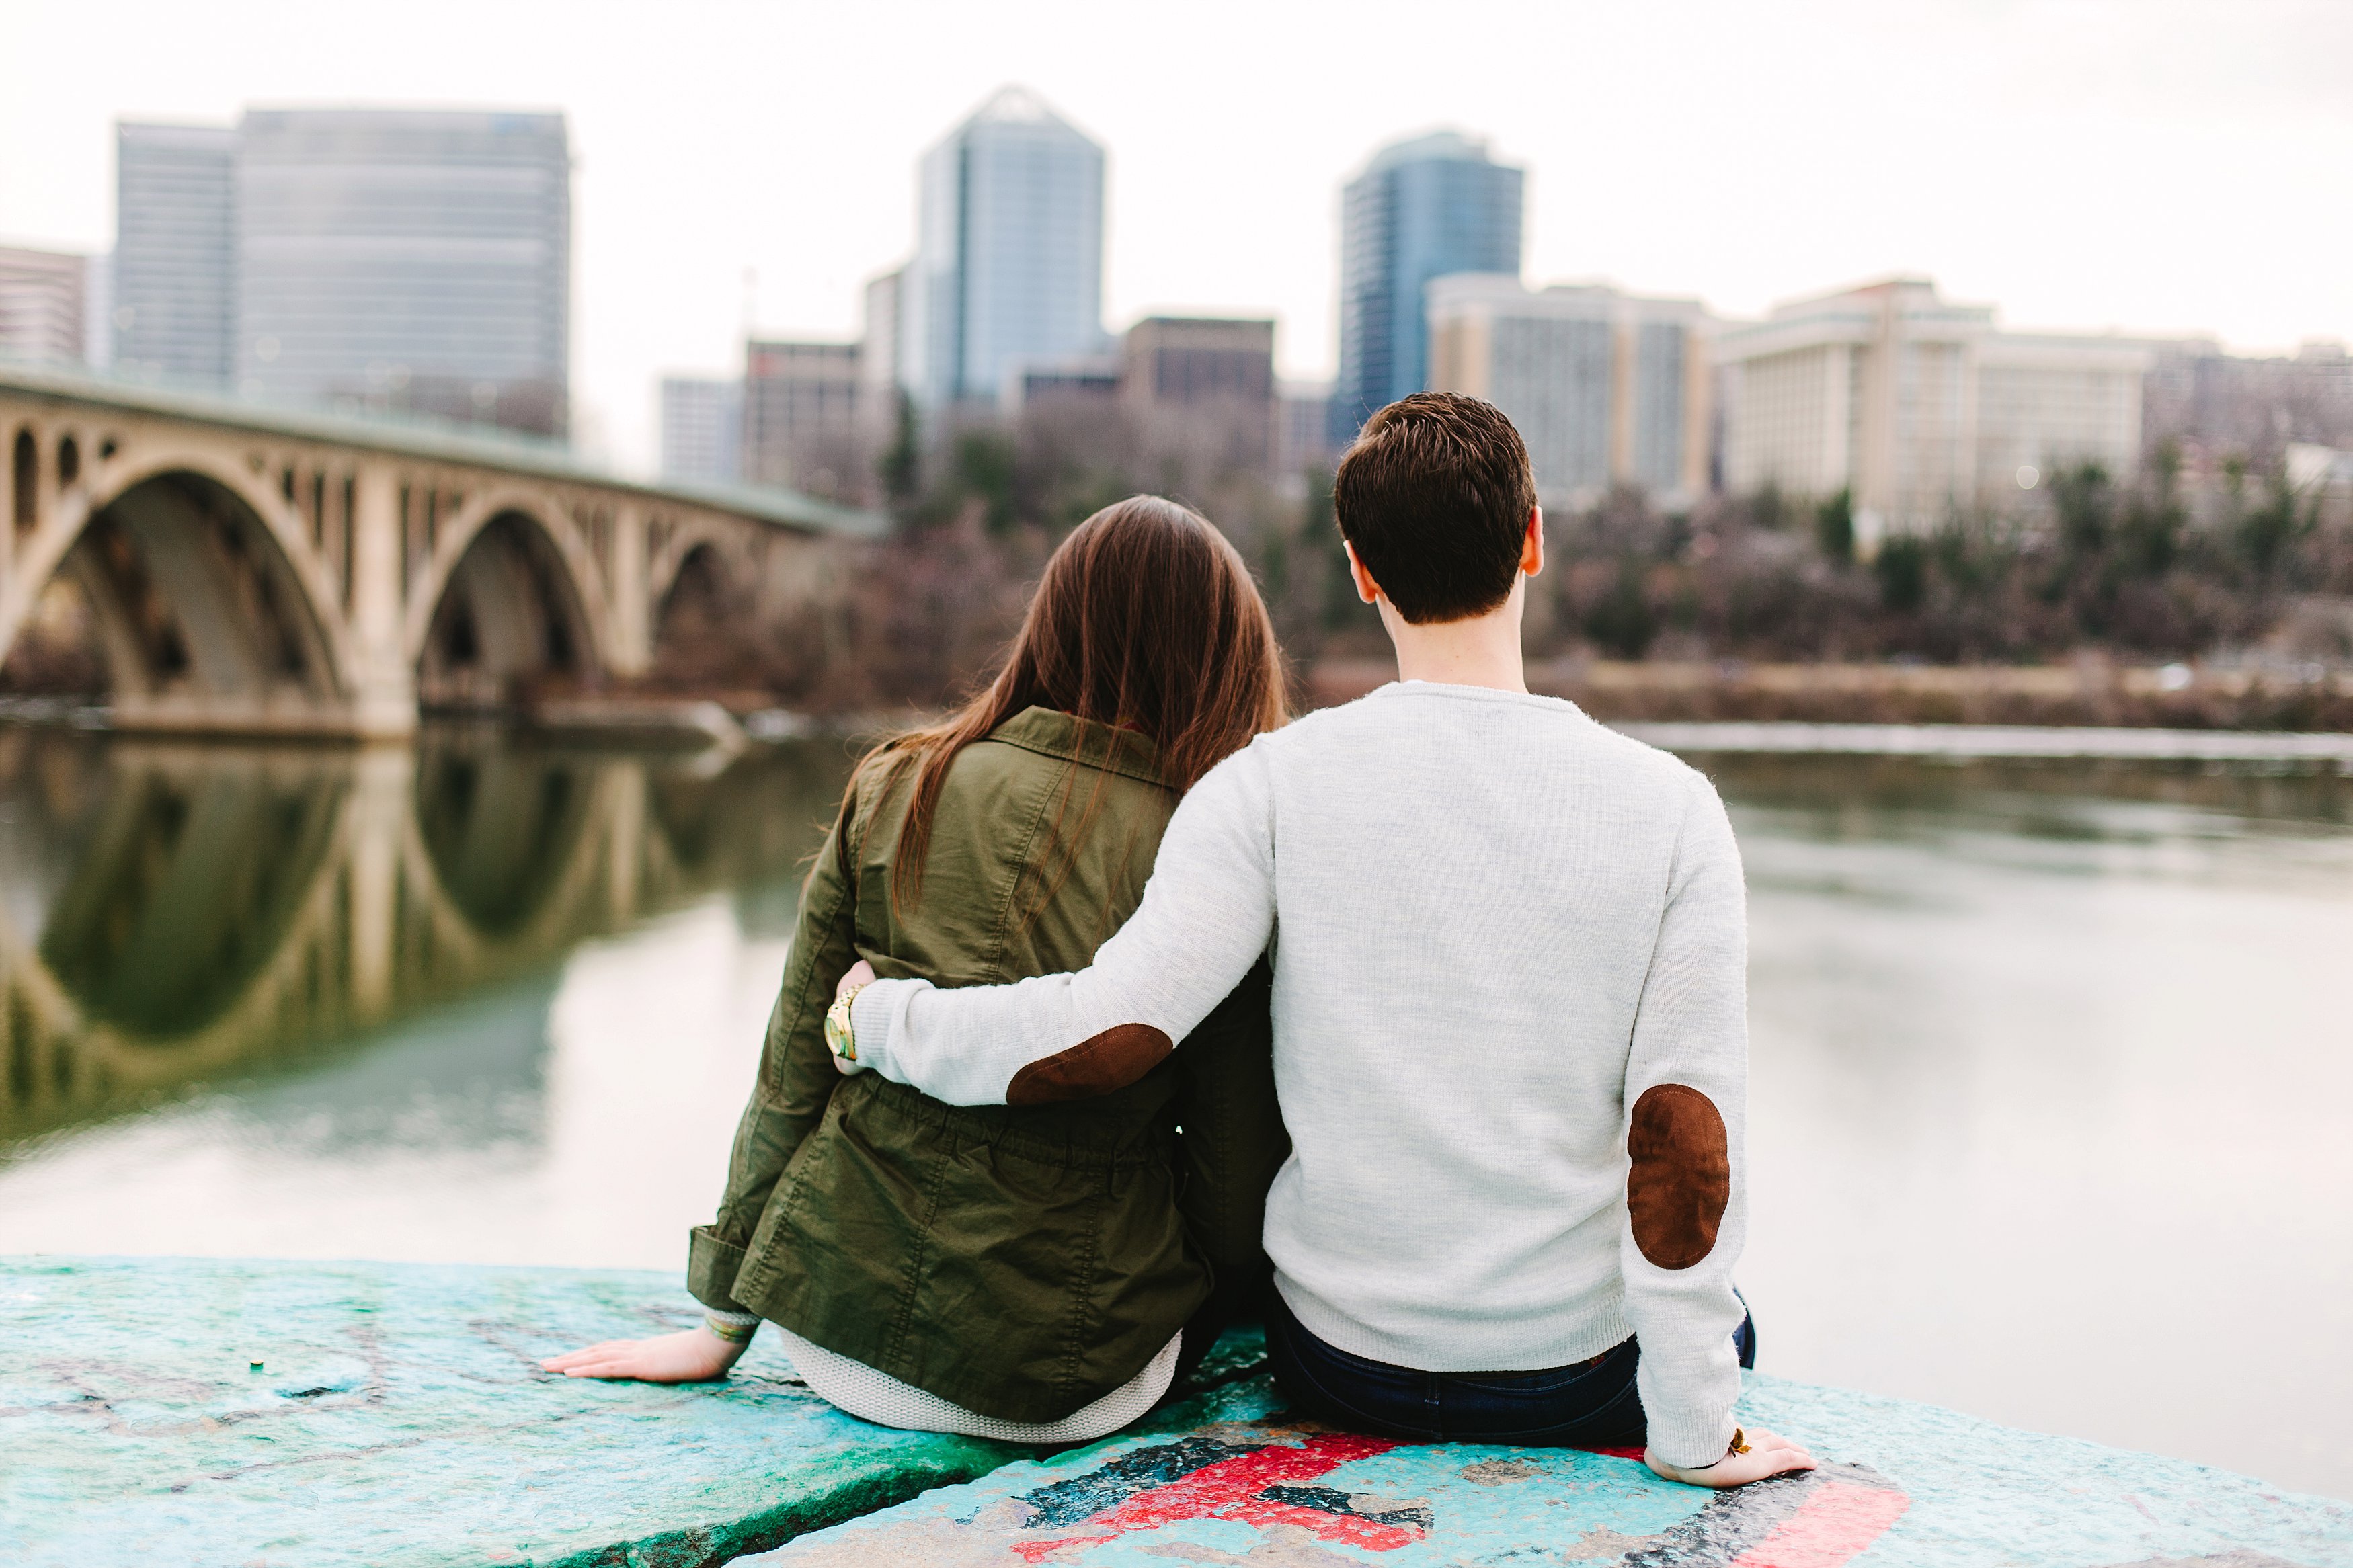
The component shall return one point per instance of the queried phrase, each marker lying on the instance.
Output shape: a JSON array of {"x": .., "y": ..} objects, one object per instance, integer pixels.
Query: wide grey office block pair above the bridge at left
[{"x": 356, "y": 260}]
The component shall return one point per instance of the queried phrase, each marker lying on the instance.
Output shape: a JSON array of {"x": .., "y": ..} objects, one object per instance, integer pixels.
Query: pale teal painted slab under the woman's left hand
[{"x": 401, "y": 1419}]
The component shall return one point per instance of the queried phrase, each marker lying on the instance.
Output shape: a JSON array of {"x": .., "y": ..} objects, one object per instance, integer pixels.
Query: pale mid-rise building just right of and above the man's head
[{"x": 1604, "y": 387}]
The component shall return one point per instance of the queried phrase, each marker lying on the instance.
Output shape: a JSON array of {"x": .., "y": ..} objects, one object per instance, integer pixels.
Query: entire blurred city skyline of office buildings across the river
[{"x": 420, "y": 262}]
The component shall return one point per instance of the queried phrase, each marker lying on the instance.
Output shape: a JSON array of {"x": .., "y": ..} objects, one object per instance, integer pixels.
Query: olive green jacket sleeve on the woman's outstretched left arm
[{"x": 796, "y": 1071}]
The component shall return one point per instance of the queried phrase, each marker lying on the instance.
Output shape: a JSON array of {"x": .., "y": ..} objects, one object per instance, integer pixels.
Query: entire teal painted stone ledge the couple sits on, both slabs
[{"x": 399, "y": 1416}]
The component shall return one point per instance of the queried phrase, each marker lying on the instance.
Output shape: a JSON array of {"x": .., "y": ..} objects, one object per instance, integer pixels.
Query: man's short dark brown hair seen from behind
[{"x": 1434, "y": 500}]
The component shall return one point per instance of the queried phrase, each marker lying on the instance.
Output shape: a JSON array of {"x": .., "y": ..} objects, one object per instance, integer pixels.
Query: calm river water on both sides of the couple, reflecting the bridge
[{"x": 2051, "y": 1061}]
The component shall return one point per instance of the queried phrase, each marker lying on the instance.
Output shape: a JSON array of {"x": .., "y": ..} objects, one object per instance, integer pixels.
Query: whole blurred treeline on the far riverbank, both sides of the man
[{"x": 2107, "y": 565}]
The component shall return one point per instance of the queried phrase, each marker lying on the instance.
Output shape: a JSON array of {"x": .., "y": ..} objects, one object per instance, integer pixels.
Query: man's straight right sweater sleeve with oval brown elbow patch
[{"x": 1684, "y": 1123}]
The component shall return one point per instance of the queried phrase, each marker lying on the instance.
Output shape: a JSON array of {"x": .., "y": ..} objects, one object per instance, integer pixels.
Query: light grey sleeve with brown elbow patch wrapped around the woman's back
[{"x": 1206, "y": 918}]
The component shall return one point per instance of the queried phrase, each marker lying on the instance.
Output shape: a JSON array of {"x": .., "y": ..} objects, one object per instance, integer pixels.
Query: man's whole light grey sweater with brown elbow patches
[{"x": 1509, "y": 1033}]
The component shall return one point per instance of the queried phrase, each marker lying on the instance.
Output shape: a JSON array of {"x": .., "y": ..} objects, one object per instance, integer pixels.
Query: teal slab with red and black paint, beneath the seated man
[{"x": 1902, "y": 1487}]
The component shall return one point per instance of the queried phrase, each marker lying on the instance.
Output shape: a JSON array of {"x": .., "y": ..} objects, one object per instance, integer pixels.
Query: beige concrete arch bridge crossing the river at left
[{"x": 276, "y": 572}]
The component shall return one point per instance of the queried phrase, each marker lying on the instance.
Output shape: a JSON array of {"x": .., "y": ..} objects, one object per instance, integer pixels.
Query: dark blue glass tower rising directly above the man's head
[{"x": 1422, "y": 210}]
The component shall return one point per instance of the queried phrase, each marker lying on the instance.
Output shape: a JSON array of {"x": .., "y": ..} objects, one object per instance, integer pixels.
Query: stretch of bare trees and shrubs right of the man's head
[{"x": 2109, "y": 565}]
